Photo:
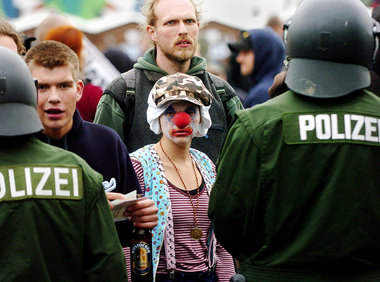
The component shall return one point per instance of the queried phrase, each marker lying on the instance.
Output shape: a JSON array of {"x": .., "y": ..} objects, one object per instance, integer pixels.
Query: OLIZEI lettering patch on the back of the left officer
[{"x": 22, "y": 182}]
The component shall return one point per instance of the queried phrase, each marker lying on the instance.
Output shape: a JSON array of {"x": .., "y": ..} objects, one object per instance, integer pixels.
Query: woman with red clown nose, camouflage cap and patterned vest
[{"x": 179, "y": 180}]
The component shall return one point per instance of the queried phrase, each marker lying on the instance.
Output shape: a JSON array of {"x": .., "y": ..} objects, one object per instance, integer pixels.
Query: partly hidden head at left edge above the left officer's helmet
[{"x": 10, "y": 38}]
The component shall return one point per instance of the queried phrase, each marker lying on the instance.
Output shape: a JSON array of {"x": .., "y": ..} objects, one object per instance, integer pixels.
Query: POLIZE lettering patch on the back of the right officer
[{"x": 331, "y": 127}]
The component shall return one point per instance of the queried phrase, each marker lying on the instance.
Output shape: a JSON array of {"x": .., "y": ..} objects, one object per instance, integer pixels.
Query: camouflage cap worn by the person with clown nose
[{"x": 180, "y": 86}]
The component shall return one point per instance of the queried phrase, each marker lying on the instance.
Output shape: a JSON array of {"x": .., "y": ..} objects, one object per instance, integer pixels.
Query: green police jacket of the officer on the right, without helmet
[{"x": 297, "y": 194}]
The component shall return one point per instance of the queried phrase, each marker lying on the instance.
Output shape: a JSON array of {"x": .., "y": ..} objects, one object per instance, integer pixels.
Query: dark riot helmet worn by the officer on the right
[{"x": 330, "y": 46}]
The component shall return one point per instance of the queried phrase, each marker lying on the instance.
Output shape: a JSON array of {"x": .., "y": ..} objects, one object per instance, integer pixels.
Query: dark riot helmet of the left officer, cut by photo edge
[{"x": 18, "y": 96}]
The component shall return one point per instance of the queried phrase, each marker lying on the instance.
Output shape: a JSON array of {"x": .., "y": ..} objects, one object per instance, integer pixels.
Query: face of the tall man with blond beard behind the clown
[{"x": 176, "y": 31}]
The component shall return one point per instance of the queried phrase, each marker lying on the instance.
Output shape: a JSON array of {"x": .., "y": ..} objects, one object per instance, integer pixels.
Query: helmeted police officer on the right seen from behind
[{"x": 297, "y": 193}]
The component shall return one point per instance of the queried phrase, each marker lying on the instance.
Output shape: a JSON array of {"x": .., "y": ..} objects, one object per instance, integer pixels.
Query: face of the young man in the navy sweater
[{"x": 58, "y": 94}]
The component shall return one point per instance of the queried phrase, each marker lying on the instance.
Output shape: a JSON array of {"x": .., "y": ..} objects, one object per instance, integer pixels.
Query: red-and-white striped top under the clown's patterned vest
[{"x": 191, "y": 255}]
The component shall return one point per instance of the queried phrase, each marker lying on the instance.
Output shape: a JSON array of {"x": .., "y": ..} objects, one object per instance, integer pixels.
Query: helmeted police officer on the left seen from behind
[{"x": 51, "y": 201}]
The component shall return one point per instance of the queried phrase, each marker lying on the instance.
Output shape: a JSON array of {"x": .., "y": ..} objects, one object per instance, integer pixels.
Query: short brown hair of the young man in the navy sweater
[{"x": 51, "y": 54}]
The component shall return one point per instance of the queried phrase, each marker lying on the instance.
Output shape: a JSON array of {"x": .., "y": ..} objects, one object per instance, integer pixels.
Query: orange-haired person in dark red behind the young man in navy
[{"x": 73, "y": 38}]
